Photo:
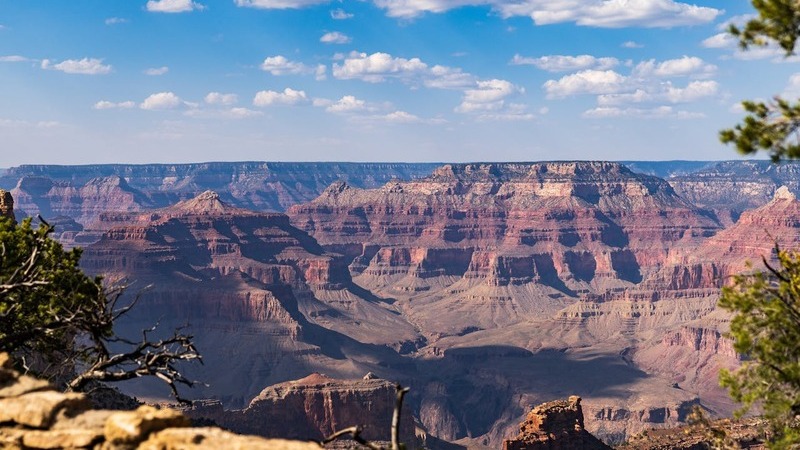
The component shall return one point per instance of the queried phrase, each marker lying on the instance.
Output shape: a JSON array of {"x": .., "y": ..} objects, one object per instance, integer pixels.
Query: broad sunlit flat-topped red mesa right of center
[{"x": 491, "y": 235}]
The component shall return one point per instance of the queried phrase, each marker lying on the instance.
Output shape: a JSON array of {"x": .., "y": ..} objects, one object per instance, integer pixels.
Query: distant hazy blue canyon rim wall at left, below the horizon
[{"x": 83, "y": 192}]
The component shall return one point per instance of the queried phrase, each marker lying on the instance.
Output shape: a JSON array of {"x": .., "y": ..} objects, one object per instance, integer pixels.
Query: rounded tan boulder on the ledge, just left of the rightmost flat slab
[{"x": 129, "y": 428}]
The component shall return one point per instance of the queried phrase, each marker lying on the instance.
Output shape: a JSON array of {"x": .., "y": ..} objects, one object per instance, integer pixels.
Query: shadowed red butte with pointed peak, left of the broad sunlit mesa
[{"x": 252, "y": 289}]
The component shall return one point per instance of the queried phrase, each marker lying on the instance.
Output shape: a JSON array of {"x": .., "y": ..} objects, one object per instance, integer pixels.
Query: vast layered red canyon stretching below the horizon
[{"x": 486, "y": 288}]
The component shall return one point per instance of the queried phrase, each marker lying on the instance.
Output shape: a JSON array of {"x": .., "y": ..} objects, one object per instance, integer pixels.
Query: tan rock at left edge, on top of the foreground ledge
[{"x": 38, "y": 409}]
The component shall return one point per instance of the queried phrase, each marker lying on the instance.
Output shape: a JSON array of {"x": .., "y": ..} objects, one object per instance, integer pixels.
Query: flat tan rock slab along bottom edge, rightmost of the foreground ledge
[{"x": 213, "y": 438}]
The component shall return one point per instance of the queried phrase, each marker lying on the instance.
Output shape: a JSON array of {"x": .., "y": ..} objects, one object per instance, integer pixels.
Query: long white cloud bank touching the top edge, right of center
[{"x": 597, "y": 13}]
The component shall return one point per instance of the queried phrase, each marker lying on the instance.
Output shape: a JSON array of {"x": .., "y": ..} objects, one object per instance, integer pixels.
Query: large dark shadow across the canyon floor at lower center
[{"x": 483, "y": 383}]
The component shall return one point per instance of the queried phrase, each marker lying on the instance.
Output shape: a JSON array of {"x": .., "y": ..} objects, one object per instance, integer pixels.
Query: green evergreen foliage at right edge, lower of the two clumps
[{"x": 766, "y": 329}]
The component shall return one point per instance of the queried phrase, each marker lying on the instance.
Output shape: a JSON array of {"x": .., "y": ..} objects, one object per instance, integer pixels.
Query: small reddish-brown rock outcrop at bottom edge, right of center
[{"x": 556, "y": 425}]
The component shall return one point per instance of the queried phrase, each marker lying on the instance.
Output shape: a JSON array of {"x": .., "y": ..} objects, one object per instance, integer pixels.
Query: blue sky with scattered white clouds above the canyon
[{"x": 167, "y": 81}]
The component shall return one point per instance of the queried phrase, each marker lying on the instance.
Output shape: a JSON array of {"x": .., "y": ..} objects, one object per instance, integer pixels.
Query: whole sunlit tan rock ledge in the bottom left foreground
[{"x": 33, "y": 416}]
